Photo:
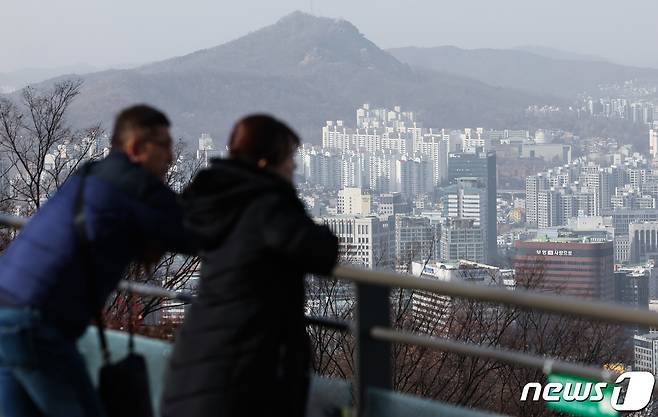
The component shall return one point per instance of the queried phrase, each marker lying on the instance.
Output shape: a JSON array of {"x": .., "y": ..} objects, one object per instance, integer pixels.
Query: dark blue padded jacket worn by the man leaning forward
[{"x": 126, "y": 210}]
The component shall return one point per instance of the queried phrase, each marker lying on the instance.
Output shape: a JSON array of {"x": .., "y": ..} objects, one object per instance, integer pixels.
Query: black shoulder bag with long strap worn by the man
[{"x": 123, "y": 386}]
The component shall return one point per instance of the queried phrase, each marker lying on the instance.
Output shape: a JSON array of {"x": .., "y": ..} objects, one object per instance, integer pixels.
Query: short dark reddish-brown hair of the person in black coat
[{"x": 261, "y": 136}]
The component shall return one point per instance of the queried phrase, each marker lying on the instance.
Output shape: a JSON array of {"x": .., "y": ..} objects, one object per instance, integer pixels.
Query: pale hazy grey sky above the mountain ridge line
[{"x": 47, "y": 33}]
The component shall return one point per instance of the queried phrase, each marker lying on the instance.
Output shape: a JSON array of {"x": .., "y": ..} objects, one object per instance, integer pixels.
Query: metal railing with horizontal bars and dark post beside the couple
[{"x": 374, "y": 335}]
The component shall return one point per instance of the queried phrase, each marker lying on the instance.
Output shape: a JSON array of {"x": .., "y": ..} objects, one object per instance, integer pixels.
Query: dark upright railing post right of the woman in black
[{"x": 373, "y": 358}]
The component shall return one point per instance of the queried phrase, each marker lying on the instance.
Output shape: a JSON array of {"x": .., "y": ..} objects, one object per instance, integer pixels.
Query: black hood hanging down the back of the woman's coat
[{"x": 217, "y": 196}]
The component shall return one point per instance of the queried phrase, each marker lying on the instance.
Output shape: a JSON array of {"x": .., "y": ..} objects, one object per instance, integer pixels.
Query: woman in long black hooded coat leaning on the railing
[{"x": 243, "y": 349}]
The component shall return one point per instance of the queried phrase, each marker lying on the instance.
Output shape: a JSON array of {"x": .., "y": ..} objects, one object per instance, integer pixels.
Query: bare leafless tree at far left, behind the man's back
[{"x": 39, "y": 148}]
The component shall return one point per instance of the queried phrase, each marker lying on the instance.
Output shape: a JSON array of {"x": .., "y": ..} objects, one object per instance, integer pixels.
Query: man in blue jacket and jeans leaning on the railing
[{"x": 46, "y": 298}]
